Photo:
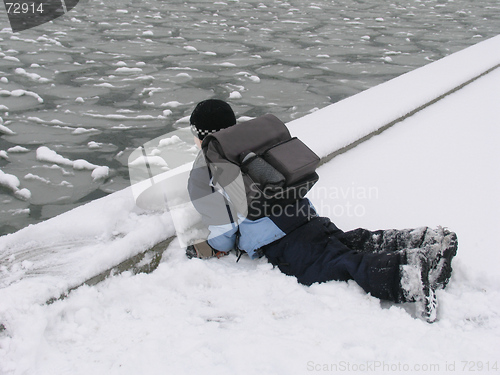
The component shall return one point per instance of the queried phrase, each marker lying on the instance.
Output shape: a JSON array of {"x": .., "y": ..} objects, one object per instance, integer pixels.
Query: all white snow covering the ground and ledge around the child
[{"x": 437, "y": 167}]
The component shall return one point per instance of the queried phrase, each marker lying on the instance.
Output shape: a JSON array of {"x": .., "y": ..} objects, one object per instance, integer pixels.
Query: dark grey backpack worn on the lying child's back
[{"x": 269, "y": 166}]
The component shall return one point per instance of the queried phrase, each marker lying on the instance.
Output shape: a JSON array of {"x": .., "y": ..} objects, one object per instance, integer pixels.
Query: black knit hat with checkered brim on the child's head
[{"x": 211, "y": 115}]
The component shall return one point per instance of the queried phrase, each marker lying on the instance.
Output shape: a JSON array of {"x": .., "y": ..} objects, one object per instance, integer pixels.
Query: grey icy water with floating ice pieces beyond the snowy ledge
[{"x": 95, "y": 84}]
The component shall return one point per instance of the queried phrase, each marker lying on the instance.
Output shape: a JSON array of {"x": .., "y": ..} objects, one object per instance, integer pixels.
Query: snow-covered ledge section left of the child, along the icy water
[{"x": 44, "y": 260}]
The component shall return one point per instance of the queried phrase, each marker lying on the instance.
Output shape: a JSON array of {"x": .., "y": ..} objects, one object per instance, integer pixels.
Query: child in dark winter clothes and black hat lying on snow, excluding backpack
[{"x": 395, "y": 265}]
